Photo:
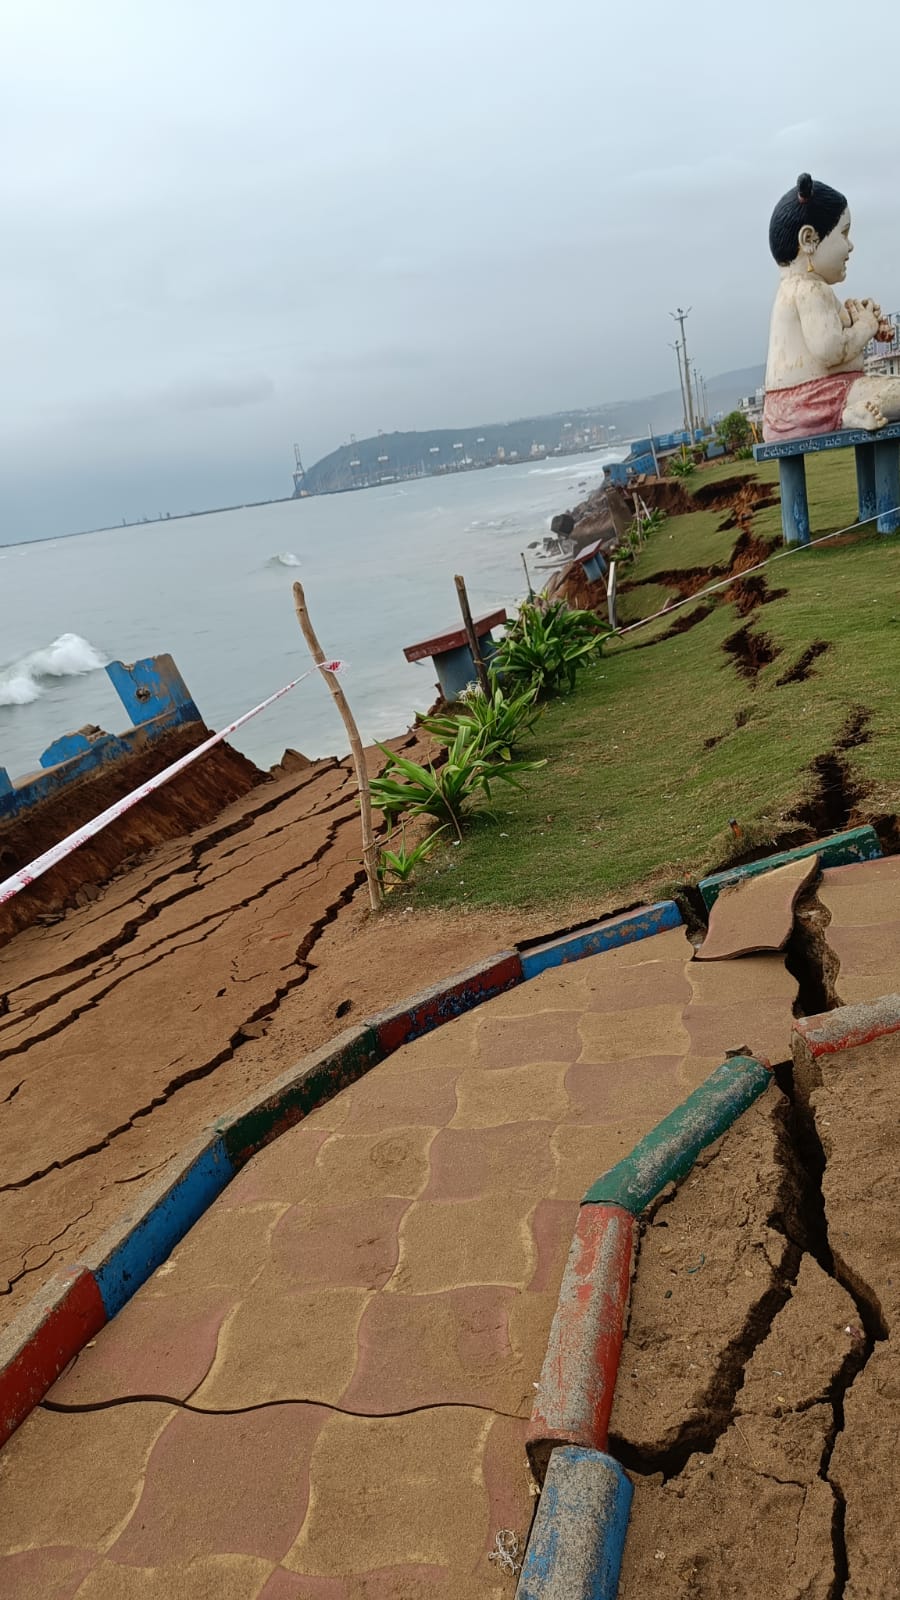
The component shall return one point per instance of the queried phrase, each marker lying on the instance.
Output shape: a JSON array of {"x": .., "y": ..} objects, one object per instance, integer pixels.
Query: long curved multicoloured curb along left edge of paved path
[{"x": 78, "y": 1302}]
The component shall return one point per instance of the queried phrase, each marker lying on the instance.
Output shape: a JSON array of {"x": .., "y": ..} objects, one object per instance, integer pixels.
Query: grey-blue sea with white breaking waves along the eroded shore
[{"x": 215, "y": 593}]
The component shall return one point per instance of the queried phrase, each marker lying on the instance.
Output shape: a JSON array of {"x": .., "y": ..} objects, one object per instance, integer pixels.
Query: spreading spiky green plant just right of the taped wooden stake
[{"x": 444, "y": 793}]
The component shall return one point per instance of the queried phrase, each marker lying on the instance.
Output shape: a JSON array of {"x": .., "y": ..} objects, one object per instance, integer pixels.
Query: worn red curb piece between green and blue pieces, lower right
[{"x": 581, "y": 1366}]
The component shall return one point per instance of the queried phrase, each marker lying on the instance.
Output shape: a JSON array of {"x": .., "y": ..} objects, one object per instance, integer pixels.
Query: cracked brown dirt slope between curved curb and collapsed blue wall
[{"x": 190, "y": 982}]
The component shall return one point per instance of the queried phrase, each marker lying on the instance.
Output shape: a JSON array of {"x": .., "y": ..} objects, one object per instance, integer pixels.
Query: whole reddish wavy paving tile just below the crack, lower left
[{"x": 238, "y": 1486}]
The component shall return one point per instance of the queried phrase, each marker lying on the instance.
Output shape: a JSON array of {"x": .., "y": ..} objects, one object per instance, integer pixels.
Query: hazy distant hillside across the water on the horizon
[{"x": 369, "y": 462}]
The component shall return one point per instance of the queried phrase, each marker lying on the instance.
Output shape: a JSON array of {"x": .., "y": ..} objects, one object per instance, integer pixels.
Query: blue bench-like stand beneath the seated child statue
[{"x": 878, "y": 476}]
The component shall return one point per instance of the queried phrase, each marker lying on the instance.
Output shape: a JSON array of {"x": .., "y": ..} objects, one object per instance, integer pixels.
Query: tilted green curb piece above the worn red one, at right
[{"x": 669, "y": 1153}]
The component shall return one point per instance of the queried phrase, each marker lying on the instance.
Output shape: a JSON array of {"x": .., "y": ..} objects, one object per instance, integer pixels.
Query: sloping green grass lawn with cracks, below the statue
[{"x": 661, "y": 748}]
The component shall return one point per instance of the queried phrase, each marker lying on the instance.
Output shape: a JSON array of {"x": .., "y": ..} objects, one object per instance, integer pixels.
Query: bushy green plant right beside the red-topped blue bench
[{"x": 545, "y": 647}]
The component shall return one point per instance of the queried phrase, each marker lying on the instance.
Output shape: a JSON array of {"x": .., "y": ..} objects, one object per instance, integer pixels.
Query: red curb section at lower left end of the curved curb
[{"x": 68, "y": 1322}]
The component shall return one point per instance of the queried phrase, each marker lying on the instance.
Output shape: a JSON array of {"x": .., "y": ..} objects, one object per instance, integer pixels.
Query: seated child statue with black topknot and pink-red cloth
[{"x": 814, "y": 380}]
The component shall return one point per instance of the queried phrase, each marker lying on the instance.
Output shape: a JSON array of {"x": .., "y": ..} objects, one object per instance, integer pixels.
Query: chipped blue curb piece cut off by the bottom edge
[{"x": 579, "y": 1534}]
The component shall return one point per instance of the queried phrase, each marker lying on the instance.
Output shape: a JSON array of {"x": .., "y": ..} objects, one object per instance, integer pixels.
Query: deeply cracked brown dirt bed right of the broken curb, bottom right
[{"x": 757, "y": 1398}]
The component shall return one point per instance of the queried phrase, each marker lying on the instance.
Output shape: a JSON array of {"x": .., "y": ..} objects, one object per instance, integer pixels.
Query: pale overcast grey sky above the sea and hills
[{"x": 233, "y": 225}]
